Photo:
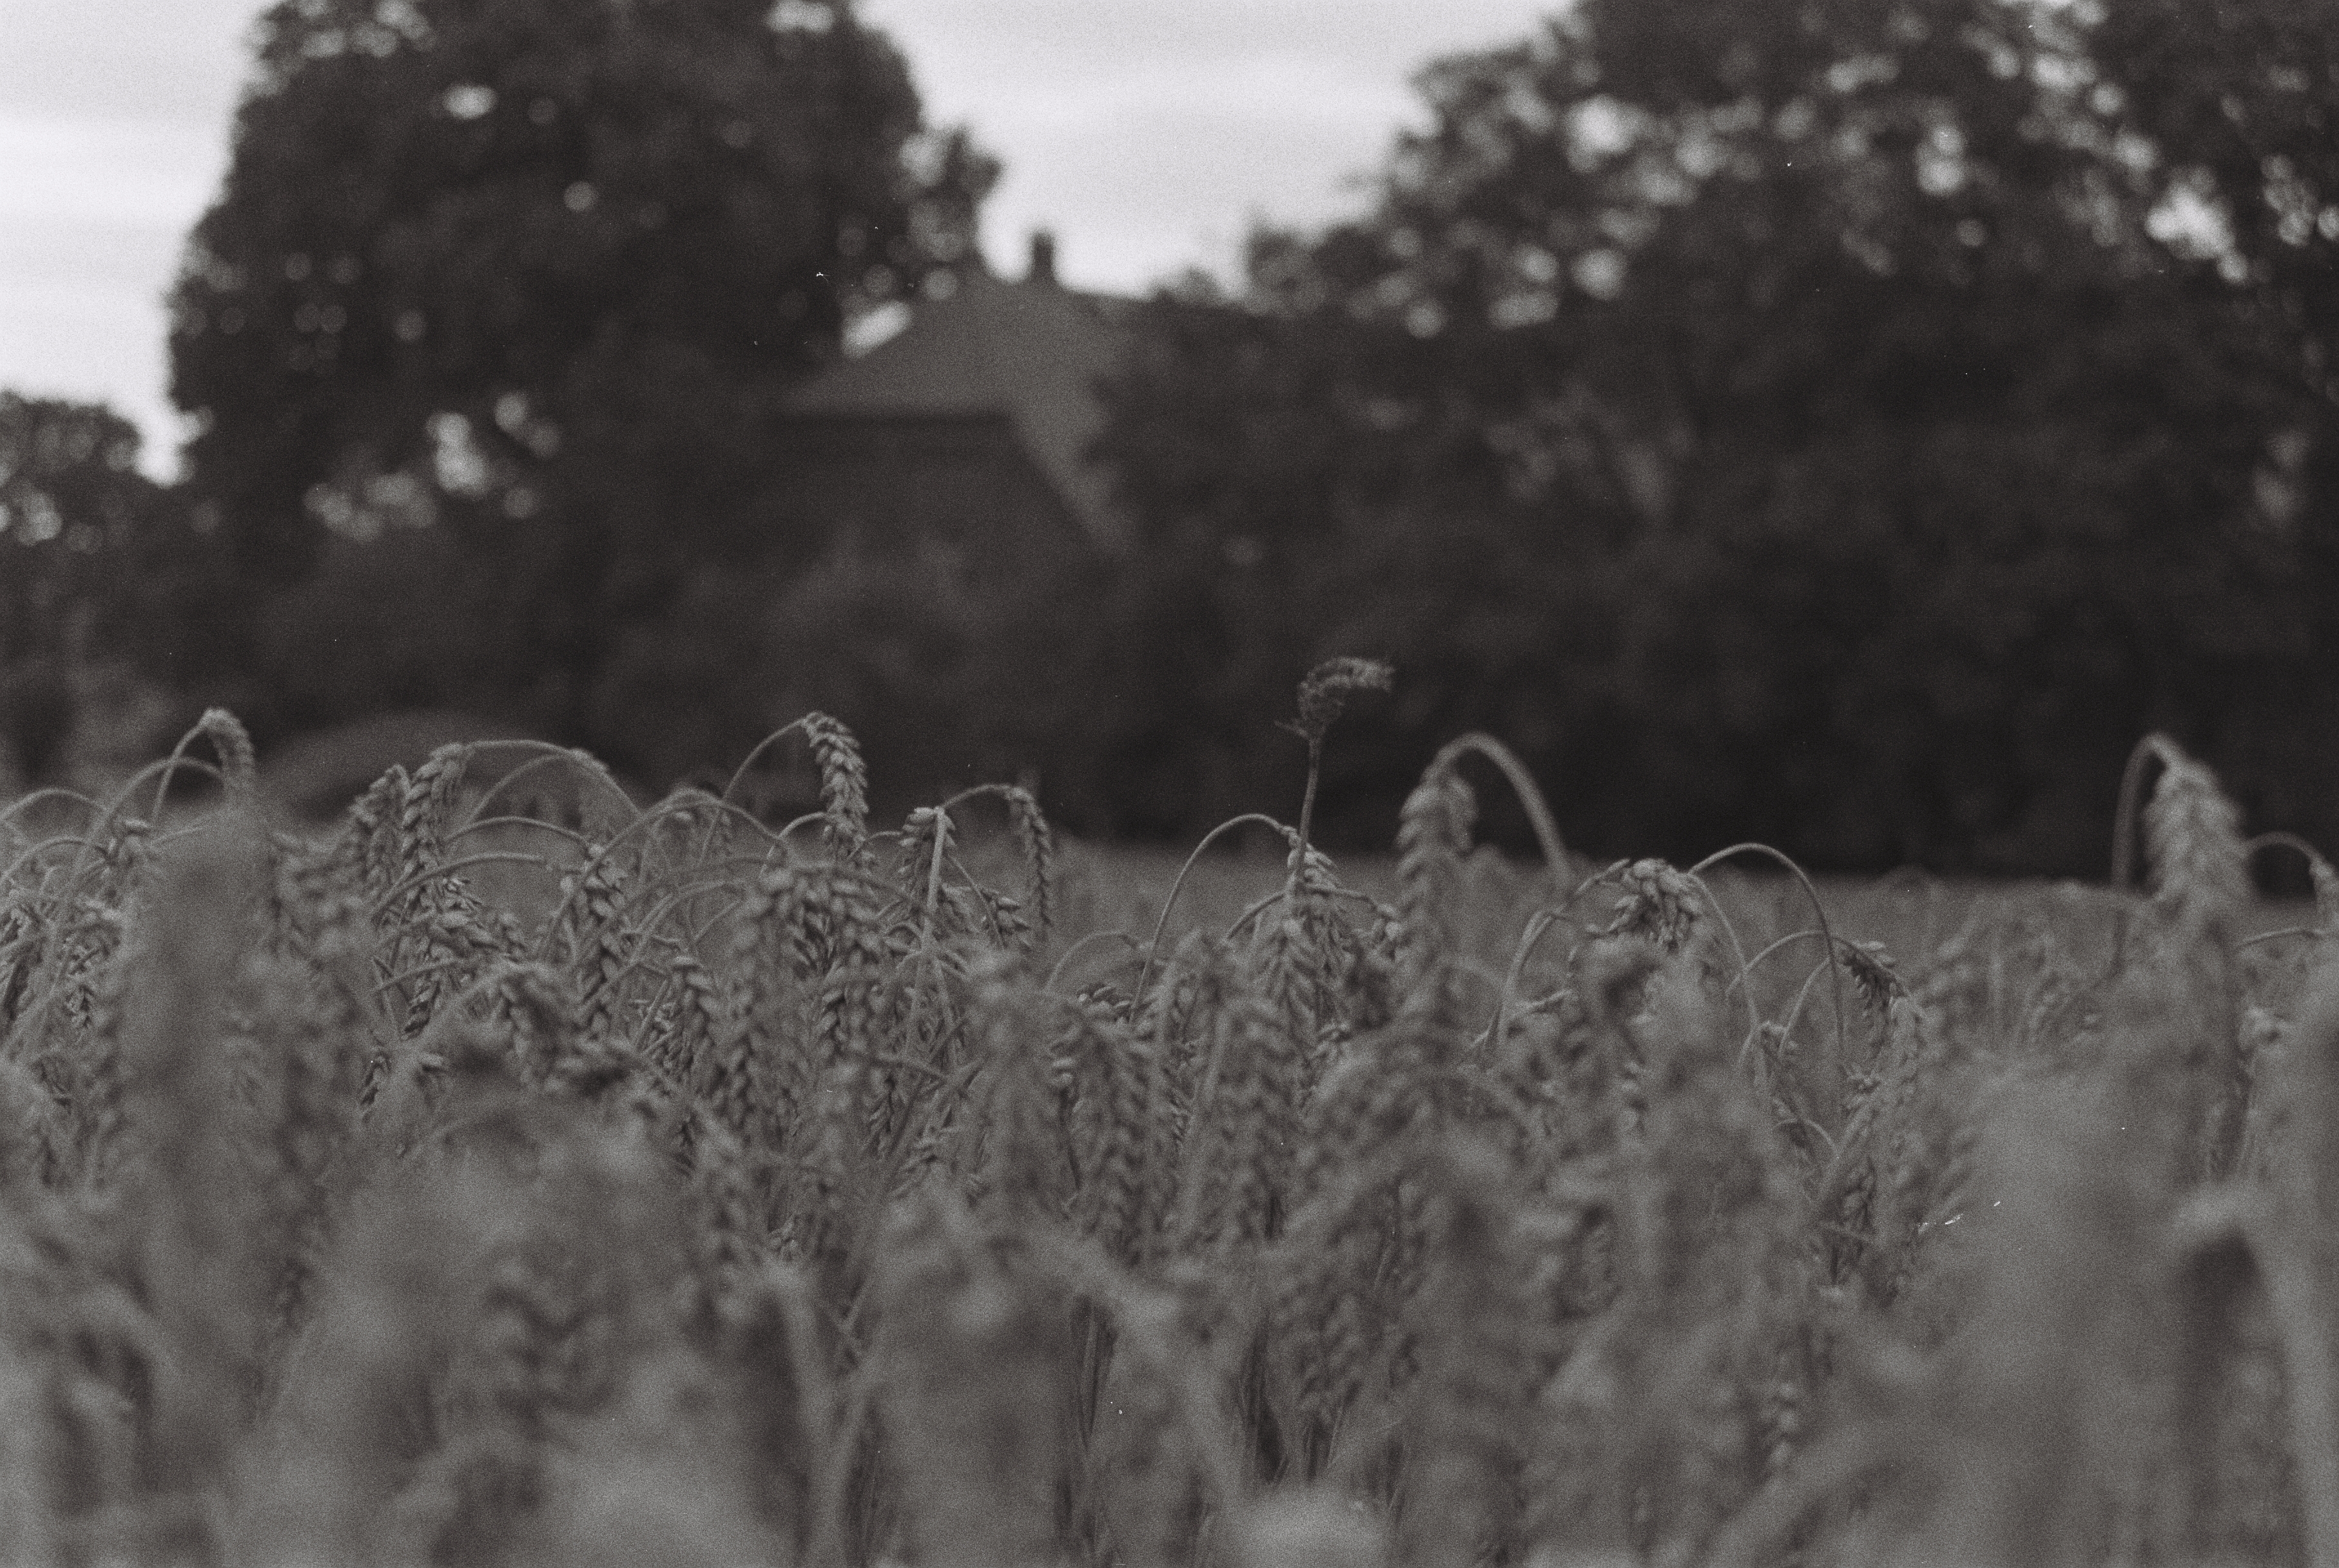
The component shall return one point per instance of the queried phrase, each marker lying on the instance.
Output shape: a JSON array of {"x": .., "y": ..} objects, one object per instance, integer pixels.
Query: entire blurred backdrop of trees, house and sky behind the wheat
[{"x": 1837, "y": 422}]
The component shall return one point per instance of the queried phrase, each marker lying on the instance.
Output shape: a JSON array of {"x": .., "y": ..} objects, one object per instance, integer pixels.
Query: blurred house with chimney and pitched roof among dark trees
[{"x": 972, "y": 425}]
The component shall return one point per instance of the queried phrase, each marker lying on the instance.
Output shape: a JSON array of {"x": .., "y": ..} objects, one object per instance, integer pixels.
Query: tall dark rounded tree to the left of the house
[{"x": 539, "y": 273}]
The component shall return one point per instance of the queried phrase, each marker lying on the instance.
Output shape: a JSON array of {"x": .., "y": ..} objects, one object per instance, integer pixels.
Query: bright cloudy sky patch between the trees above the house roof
[{"x": 1152, "y": 137}]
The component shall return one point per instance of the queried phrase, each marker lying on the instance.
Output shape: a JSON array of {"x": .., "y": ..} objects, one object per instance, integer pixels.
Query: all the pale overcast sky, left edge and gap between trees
[{"x": 1150, "y": 135}]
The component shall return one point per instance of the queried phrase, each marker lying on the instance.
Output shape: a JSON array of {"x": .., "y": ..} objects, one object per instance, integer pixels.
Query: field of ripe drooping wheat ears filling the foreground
[{"x": 485, "y": 1183}]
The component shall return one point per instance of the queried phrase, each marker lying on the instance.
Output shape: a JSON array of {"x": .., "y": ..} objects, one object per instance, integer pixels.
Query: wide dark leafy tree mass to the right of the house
[{"x": 1781, "y": 420}]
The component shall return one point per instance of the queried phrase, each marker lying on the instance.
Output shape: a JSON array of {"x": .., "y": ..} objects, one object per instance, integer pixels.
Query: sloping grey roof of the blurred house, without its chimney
[{"x": 1030, "y": 352}]
